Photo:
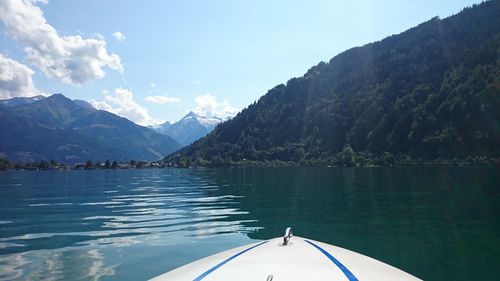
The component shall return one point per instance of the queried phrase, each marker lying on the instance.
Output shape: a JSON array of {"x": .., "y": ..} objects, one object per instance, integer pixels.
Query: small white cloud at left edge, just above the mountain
[{"x": 15, "y": 79}]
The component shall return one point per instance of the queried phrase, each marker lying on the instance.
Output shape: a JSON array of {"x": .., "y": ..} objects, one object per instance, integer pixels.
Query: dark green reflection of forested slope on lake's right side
[{"x": 412, "y": 218}]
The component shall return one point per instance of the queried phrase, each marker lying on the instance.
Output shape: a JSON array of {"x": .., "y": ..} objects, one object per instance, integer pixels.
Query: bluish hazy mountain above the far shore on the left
[{"x": 67, "y": 131}]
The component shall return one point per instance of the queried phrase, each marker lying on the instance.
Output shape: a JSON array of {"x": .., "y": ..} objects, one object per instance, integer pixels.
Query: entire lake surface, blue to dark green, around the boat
[{"x": 435, "y": 223}]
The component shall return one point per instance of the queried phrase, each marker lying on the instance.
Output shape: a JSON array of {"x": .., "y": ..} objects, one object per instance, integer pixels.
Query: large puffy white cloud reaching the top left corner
[{"x": 72, "y": 59}]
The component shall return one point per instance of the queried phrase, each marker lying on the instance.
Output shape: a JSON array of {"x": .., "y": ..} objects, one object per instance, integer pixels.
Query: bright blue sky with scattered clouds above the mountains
[{"x": 154, "y": 61}]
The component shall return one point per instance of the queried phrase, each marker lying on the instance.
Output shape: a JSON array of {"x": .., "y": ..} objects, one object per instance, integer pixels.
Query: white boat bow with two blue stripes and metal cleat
[{"x": 278, "y": 259}]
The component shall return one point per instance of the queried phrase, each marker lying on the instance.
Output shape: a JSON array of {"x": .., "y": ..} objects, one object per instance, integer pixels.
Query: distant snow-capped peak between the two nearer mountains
[{"x": 190, "y": 128}]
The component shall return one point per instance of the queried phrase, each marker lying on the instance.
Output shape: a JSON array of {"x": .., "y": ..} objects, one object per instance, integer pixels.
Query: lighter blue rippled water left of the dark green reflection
[{"x": 61, "y": 225}]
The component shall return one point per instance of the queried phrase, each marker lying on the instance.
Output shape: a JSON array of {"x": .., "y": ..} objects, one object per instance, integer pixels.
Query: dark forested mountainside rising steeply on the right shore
[{"x": 431, "y": 91}]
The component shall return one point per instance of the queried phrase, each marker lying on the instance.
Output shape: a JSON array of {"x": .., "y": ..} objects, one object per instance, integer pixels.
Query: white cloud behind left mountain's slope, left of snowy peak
[{"x": 122, "y": 103}]
